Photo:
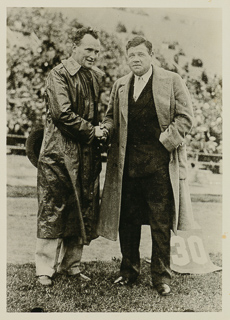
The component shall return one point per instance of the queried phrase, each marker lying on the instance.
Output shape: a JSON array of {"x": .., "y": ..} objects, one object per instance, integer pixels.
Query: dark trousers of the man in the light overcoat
[{"x": 146, "y": 200}]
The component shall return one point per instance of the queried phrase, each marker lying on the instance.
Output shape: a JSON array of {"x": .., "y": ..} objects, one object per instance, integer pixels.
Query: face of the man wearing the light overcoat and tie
[{"x": 139, "y": 59}]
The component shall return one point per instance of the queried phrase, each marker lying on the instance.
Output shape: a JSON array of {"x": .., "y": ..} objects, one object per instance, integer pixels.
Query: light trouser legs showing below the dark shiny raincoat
[{"x": 57, "y": 255}]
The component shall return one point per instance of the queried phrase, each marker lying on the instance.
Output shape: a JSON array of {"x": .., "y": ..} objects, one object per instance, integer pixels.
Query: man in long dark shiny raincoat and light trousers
[{"x": 69, "y": 163}]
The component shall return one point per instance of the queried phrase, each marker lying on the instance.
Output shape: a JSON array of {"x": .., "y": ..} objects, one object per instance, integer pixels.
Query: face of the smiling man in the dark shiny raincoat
[{"x": 87, "y": 51}]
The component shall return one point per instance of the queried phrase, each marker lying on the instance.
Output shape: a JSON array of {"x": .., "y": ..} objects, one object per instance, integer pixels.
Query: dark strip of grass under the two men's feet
[{"x": 198, "y": 293}]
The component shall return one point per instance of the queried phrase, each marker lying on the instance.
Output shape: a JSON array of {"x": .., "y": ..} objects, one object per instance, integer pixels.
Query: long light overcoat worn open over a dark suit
[{"x": 175, "y": 115}]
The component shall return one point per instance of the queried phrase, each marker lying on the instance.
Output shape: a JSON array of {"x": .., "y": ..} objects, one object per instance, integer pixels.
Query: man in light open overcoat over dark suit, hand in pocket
[{"x": 148, "y": 116}]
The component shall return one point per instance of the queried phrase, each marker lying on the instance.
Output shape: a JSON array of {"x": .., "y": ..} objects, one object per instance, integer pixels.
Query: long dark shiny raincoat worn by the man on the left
[{"x": 69, "y": 163}]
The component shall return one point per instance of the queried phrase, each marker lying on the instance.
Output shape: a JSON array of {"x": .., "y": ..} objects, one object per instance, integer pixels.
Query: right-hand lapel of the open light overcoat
[{"x": 161, "y": 95}]
